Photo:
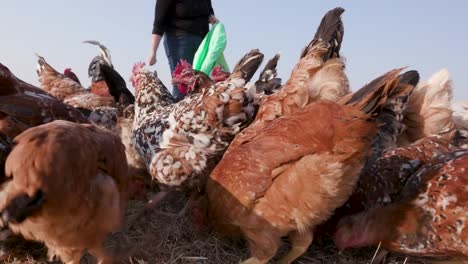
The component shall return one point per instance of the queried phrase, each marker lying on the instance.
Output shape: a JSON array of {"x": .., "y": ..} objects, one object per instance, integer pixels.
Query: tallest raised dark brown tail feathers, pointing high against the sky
[{"x": 329, "y": 32}]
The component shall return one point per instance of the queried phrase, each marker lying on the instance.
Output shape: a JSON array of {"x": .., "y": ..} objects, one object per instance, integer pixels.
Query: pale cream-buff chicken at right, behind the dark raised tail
[{"x": 428, "y": 112}]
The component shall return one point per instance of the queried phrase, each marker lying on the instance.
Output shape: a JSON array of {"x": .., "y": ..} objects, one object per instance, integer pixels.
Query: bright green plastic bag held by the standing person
[{"x": 210, "y": 52}]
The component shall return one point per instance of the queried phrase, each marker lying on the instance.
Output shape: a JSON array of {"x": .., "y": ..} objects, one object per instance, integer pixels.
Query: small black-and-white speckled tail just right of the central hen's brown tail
[{"x": 268, "y": 83}]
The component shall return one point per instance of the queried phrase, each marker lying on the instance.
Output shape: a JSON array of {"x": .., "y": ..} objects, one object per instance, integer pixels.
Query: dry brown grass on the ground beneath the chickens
[{"x": 161, "y": 237}]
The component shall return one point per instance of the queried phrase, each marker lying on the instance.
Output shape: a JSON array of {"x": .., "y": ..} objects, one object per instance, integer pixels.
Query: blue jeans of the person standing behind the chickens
[{"x": 180, "y": 47}]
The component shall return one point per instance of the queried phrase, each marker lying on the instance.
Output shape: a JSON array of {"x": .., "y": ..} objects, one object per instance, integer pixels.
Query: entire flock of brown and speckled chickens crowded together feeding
[{"x": 384, "y": 165}]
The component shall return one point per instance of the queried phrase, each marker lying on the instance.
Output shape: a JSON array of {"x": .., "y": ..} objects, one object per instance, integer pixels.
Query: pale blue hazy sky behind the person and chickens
[{"x": 379, "y": 35}]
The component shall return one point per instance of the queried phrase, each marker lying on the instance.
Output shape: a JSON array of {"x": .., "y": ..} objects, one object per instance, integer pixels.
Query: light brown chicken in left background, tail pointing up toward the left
[{"x": 67, "y": 90}]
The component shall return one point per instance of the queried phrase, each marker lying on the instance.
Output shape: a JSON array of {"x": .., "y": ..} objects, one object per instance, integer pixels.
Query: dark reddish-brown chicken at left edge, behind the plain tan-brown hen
[{"x": 23, "y": 105}]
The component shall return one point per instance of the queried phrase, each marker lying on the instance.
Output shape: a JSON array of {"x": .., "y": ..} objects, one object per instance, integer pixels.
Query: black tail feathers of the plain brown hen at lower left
[{"x": 22, "y": 206}]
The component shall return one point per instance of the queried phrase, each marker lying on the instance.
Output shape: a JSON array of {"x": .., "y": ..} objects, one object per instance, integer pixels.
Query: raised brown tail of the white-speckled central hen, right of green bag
[{"x": 247, "y": 66}]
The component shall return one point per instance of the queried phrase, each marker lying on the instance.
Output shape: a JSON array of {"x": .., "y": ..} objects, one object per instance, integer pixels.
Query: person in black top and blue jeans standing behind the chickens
[{"x": 184, "y": 23}]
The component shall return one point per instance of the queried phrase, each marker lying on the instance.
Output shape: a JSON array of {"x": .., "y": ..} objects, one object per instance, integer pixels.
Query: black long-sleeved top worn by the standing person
[{"x": 181, "y": 17}]
